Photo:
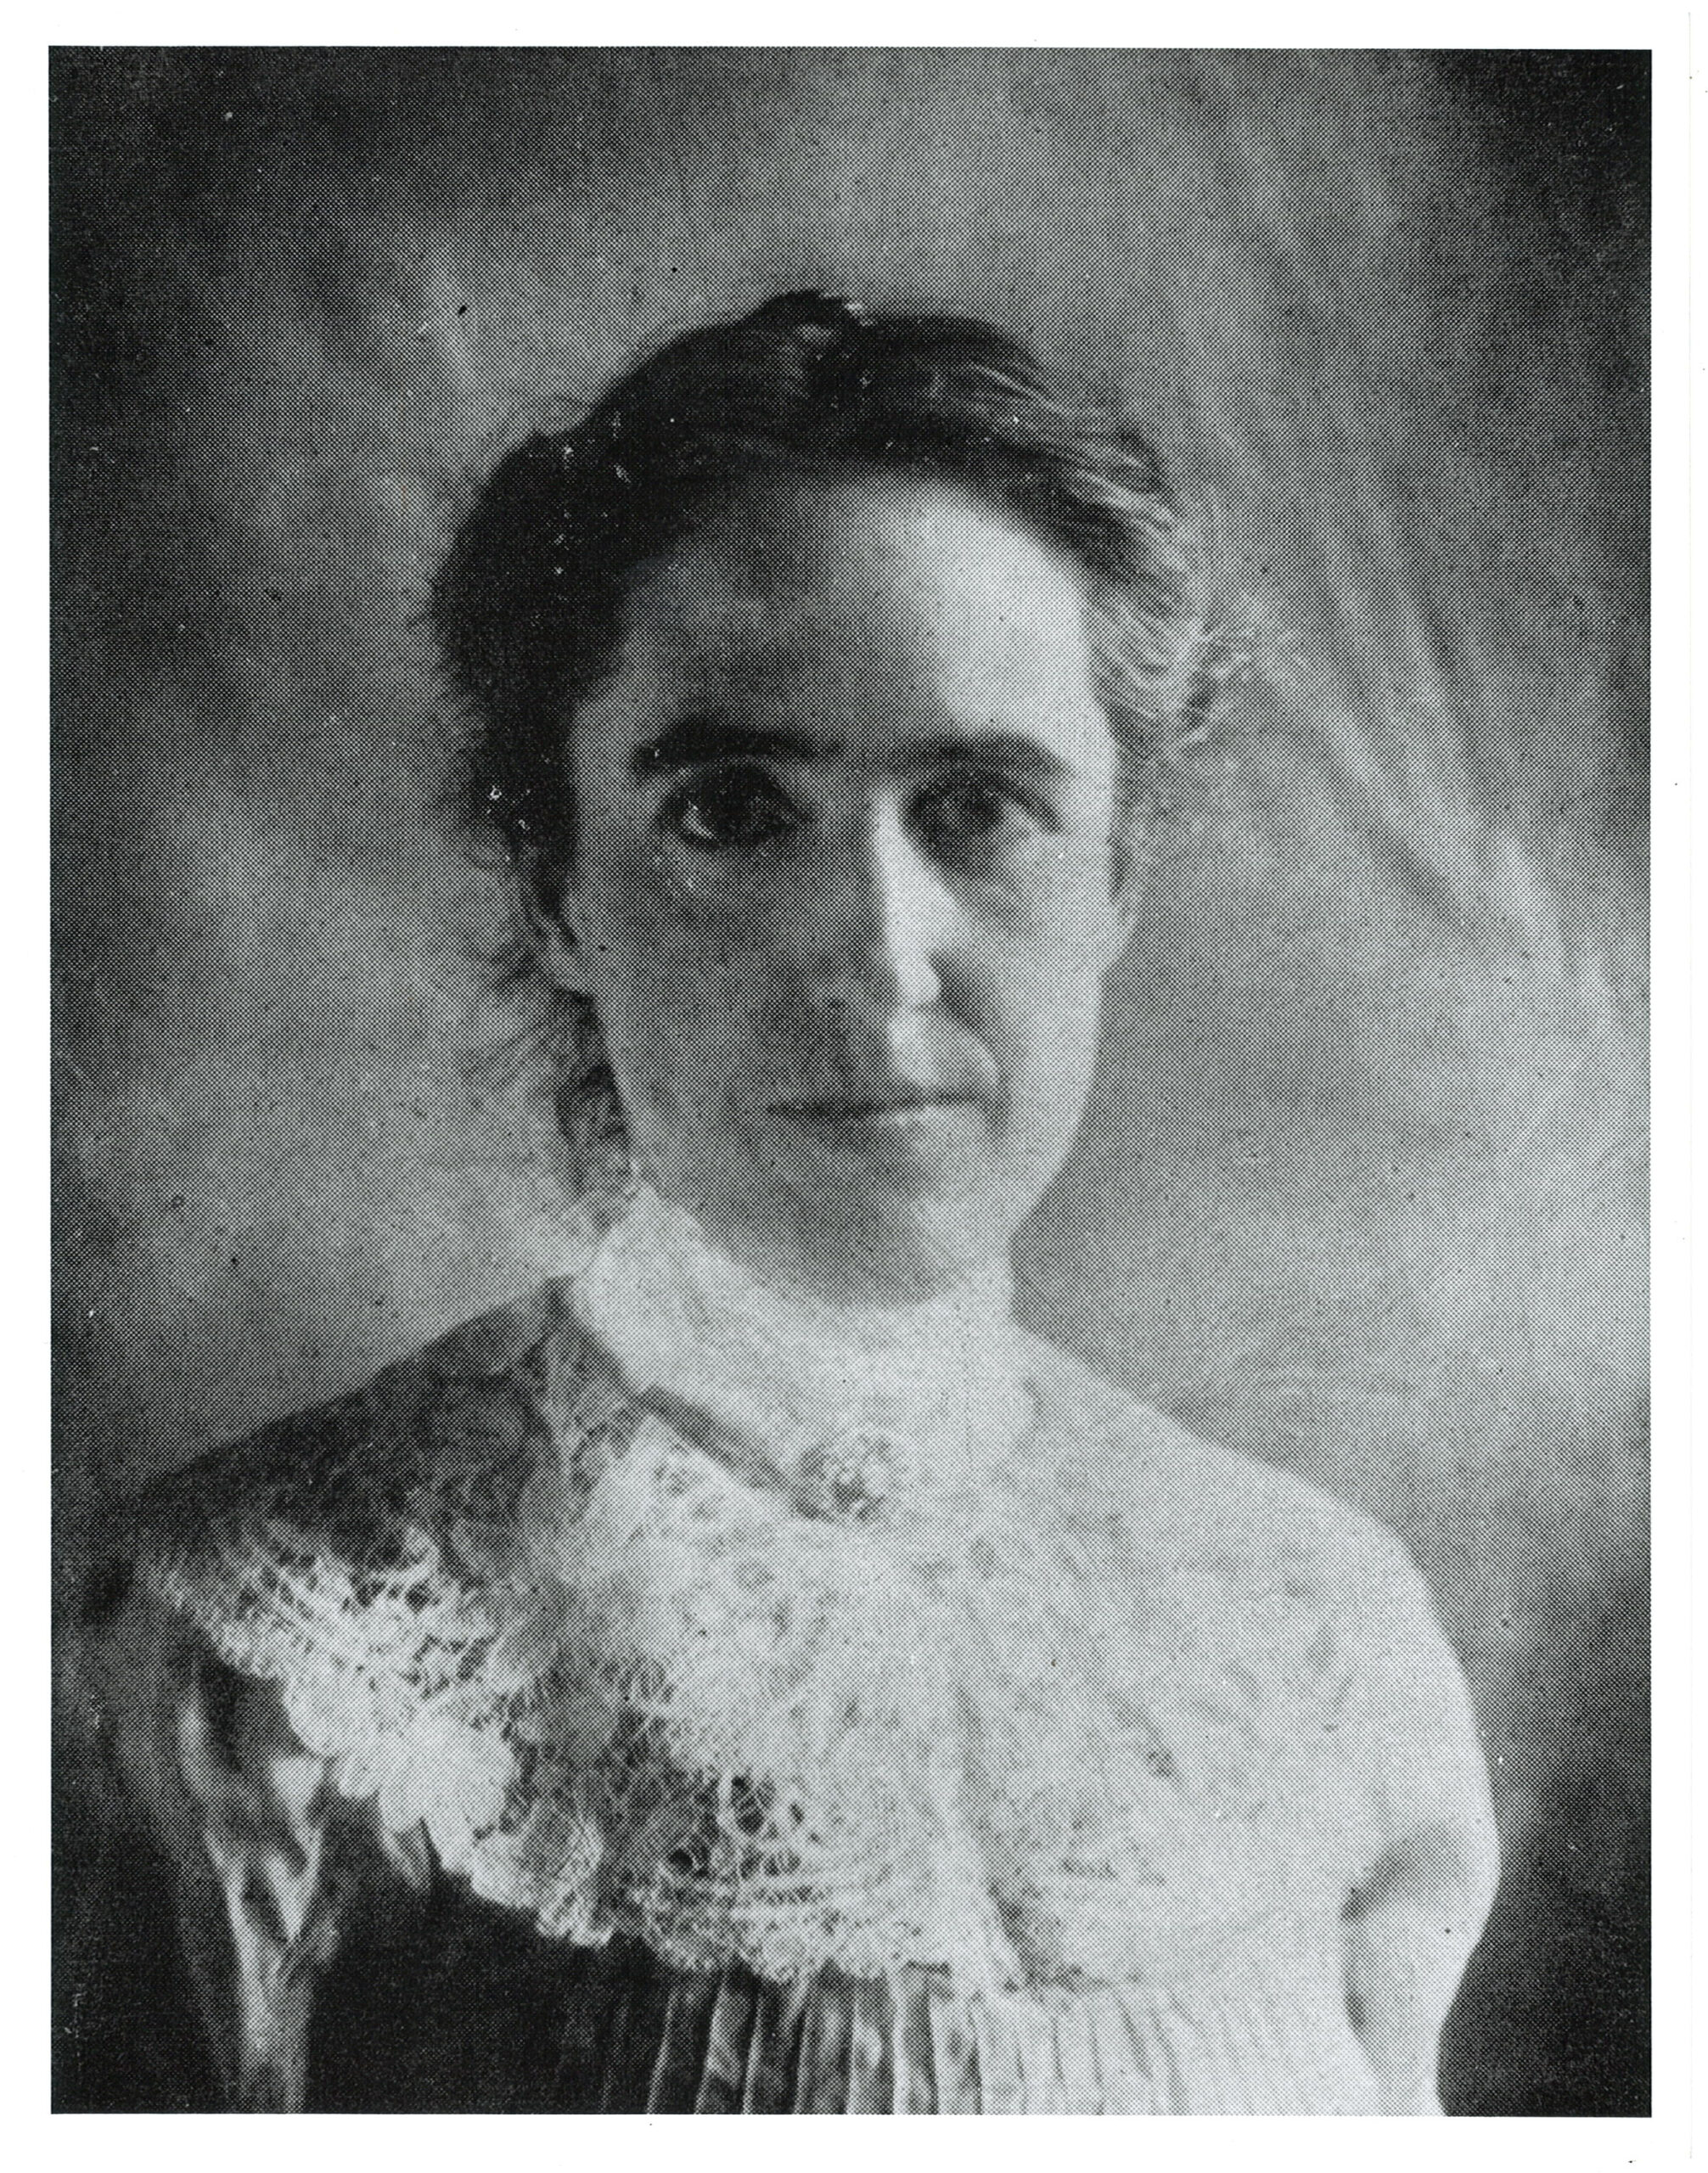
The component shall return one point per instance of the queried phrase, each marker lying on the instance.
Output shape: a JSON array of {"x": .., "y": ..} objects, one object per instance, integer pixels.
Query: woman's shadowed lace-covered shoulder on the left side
[{"x": 394, "y": 1507}]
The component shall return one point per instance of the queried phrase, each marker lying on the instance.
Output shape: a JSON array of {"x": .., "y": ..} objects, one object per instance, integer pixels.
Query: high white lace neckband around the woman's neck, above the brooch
[{"x": 846, "y": 1405}]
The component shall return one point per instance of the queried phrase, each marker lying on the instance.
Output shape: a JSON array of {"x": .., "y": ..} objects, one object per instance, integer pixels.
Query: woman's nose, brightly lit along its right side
[{"x": 888, "y": 922}]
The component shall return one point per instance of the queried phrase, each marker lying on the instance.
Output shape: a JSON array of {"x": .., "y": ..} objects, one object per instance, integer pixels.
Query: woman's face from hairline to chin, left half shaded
[{"x": 844, "y": 894}]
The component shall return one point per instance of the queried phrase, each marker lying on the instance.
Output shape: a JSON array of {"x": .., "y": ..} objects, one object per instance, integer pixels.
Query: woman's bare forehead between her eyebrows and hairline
[{"x": 881, "y": 603}]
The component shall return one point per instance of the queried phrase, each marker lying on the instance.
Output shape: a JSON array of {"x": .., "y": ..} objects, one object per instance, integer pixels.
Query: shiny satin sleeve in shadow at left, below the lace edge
[{"x": 216, "y": 1816}]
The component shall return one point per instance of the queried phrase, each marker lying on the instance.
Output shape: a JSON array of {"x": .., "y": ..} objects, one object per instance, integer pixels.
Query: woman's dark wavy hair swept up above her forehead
[{"x": 529, "y": 607}]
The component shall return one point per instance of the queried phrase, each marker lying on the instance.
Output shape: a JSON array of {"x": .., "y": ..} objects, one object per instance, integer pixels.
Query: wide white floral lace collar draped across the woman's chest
[{"x": 631, "y": 1683}]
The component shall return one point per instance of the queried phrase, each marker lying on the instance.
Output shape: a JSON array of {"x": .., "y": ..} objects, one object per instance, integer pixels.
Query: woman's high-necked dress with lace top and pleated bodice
[{"x": 781, "y": 1709}]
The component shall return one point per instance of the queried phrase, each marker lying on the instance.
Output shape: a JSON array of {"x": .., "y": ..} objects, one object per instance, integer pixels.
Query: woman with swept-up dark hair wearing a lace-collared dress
[{"x": 755, "y": 1674}]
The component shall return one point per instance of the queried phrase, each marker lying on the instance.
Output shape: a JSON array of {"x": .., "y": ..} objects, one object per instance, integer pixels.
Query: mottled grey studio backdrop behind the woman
[{"x": 1364, "y": 1185}]
